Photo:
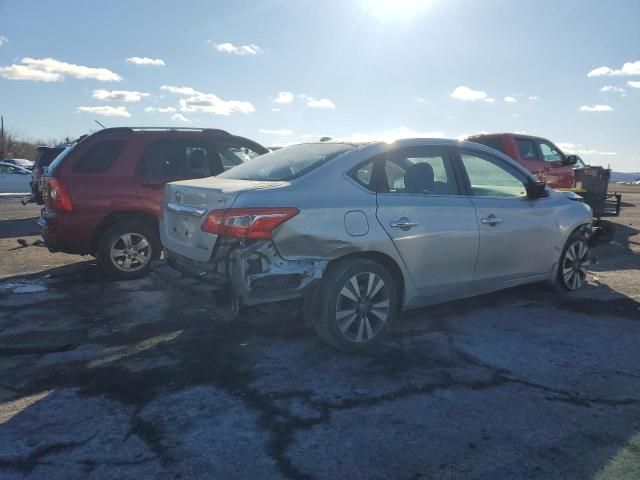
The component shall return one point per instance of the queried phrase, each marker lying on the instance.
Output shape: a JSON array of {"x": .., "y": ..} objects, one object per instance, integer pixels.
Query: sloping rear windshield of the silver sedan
[{"x": 287, "y": 163}]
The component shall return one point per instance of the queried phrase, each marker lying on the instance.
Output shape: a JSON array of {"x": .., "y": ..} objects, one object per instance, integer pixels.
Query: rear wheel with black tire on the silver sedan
[{"x": 368, "y": 318}]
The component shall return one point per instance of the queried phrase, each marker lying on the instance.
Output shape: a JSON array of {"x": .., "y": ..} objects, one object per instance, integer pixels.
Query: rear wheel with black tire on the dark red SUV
[{"x": 111, "y": 238}]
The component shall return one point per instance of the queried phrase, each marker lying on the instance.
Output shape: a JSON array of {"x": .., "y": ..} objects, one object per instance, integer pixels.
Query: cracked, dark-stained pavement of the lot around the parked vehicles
[{"x": 110, "y": 380}]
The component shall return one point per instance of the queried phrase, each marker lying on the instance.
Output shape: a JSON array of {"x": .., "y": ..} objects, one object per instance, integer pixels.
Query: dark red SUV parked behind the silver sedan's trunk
[{"x": 103, "y": 195}]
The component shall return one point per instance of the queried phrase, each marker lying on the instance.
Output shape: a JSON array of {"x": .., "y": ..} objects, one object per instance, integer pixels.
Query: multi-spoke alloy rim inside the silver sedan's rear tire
[{"x": 362, "y": 307}]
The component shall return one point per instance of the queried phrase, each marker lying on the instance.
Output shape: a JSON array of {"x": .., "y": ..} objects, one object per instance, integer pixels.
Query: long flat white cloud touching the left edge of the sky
[{"x": 52, "y": 70}]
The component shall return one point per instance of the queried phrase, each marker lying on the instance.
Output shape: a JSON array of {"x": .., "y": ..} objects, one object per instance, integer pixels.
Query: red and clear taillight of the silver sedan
[{"x": 247, "y": 222}]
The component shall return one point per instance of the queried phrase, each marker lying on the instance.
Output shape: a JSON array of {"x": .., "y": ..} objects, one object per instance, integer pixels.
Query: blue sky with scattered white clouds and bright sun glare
[{"x": 285, "y": 71}]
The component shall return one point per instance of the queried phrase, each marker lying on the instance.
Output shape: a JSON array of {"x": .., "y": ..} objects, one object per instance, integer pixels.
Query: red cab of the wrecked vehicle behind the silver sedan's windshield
[{"x": 538, "y": 155}]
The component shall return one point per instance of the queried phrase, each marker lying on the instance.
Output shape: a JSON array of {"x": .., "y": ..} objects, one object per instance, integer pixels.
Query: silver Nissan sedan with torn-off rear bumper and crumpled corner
[{"x": 360, "y": 231}]
